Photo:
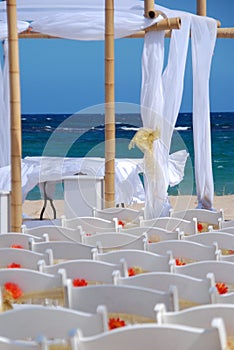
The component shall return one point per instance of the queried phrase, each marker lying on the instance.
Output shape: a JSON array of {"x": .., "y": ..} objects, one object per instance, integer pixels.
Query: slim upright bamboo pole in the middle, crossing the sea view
[{"x": 109, "y": 105}]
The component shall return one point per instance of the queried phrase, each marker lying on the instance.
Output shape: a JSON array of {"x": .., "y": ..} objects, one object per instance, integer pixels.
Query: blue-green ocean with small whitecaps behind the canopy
[{"x": 63, "y": 135}]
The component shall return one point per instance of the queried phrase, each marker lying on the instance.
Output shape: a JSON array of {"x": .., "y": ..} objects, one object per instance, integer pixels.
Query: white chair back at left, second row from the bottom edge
[{"x": 32, "y": 321}]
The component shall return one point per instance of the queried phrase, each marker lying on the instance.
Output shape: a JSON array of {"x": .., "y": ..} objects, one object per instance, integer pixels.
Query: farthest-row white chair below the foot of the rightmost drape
[{"x": 204, "y": 216}]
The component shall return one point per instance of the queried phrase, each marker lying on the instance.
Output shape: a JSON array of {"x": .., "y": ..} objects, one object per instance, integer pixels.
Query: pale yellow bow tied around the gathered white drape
[{"x": 144, "y": 139}]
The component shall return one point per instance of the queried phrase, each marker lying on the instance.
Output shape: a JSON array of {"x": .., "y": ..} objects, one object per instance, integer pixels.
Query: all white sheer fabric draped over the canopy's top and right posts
[{"x": 161, "y": 90}]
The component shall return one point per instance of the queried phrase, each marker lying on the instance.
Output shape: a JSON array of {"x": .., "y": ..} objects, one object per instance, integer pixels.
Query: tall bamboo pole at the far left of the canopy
[{"x": 16, "y": 144}]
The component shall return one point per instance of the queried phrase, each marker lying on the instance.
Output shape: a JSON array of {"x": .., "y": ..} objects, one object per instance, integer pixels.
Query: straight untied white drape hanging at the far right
[{"x": 203, "y": 42}]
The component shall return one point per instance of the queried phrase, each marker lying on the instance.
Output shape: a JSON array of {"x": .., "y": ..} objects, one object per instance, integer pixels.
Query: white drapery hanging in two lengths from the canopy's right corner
[{"x": 161, "y": 99}]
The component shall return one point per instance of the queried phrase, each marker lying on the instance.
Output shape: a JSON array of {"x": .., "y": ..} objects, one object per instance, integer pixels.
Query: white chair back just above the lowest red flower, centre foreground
[{"x": 136, "y": 304}]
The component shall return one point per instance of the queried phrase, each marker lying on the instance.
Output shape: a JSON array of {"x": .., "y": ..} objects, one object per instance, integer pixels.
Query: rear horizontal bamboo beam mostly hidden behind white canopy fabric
[{"x": 221, "y": 33}]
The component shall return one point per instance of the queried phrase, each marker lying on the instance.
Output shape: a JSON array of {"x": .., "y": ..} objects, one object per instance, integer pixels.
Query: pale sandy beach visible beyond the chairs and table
[{"x": 32, "y": 208}]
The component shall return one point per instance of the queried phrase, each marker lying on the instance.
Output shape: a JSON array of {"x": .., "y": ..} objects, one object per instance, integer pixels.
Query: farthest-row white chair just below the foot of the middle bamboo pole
[{"x": 126, "y": 215}]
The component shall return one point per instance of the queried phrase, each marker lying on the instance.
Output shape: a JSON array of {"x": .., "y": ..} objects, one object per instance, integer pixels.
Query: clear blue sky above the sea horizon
[{"x": 65, "y": 76}]
